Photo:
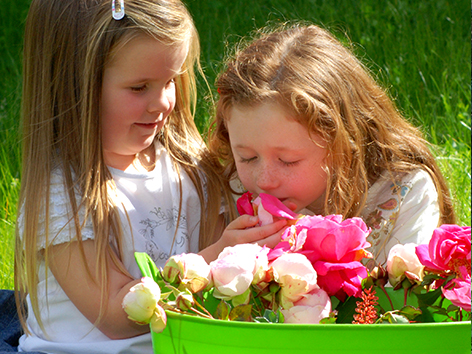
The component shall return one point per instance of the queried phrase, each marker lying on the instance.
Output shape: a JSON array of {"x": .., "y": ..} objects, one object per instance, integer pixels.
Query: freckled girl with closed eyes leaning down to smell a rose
[{"x": 299, "y": 117}]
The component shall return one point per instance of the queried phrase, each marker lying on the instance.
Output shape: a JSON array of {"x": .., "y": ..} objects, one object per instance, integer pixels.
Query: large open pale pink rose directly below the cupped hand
[{"x": 233, "y": 270}]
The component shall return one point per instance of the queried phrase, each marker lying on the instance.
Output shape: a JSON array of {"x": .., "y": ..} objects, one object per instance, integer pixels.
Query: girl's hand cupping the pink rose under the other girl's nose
[{"x": 244, "y": 230}]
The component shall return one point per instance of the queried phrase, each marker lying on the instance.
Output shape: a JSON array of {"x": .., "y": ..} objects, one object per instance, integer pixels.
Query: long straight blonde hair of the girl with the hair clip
[{"x": 66, "y": 48}]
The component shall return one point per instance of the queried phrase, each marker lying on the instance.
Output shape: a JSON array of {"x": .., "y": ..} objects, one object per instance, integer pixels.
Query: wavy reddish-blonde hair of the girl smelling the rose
[{"x": 332, "y": 94}]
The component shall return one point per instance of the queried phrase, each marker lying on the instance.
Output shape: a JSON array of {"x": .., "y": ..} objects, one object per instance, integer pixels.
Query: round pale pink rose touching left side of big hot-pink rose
[{"x": 295, "y": 275}]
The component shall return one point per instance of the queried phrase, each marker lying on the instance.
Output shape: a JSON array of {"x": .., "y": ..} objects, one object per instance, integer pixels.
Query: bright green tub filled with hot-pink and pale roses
[{"x": 308, "y": 292}]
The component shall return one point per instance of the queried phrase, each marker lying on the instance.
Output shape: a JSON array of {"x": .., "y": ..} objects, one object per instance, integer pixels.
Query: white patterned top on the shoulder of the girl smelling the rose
[{"x": 402, "y": 210}]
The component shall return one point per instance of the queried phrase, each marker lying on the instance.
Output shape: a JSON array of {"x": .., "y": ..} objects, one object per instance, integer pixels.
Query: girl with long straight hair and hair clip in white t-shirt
[{"x": 112, "y": 164}]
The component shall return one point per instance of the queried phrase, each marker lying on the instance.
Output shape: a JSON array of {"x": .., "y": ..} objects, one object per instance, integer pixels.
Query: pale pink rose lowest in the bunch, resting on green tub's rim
[{"x": 311, "y": 308}]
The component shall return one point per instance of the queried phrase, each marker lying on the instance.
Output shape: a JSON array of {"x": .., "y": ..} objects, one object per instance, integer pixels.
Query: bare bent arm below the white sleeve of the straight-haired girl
[{"x": 84, "y": 289}]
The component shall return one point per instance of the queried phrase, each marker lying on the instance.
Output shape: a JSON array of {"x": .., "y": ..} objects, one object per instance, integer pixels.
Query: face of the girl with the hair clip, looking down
[{"x": 138, "y": 94}]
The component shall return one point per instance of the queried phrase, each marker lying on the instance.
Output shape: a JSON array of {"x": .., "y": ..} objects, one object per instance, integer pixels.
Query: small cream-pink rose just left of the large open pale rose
[{"x": 189, "y": 269}]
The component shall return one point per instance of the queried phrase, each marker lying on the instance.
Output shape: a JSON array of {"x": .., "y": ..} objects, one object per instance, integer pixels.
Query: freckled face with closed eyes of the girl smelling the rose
[{"x": 275, "y": 155}]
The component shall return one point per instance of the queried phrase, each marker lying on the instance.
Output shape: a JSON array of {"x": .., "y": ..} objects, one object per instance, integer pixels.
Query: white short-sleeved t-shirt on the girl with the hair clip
[{"x": 152, "y": 203}]
